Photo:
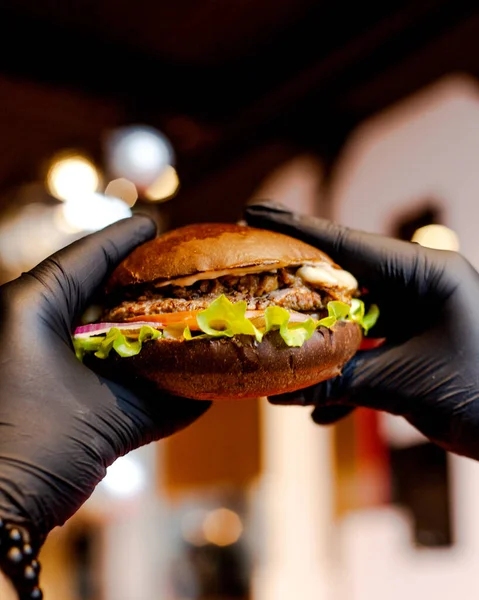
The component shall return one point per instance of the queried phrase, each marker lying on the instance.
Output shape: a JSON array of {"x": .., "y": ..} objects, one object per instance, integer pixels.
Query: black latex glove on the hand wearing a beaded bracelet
[{"x": 60, "y": 424}]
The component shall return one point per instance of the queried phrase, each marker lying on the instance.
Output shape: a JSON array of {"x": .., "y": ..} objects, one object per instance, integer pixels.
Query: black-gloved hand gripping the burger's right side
[{"x": 428, "y": 369}]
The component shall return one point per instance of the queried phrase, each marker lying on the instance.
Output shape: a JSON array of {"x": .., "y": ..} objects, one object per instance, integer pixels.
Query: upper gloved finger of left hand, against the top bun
[{"x": 75, "y": 272}]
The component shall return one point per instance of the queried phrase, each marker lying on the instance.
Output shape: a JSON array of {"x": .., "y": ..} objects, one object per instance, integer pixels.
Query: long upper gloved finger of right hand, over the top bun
[{"x": 369, "y": 256}]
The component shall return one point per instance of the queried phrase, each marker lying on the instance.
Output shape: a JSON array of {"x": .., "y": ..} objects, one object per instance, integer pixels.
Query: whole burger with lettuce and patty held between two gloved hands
[{"x": 222, "y": 311}]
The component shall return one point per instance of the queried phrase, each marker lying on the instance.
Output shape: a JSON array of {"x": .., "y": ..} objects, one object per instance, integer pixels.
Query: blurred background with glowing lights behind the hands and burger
[{"x": 188, "y": 110}]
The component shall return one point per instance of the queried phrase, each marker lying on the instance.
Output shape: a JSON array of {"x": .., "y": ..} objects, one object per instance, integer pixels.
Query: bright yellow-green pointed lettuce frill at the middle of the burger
[{"x": 223, "y": 318}]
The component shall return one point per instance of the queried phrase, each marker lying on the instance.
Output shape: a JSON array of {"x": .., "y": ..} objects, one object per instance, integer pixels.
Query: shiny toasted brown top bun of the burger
[{"x": 210, "y": 247}]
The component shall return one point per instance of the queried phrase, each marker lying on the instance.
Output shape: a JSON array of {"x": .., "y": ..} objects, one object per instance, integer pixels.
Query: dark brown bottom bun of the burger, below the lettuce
[{"x": 234, "y": 368}]
